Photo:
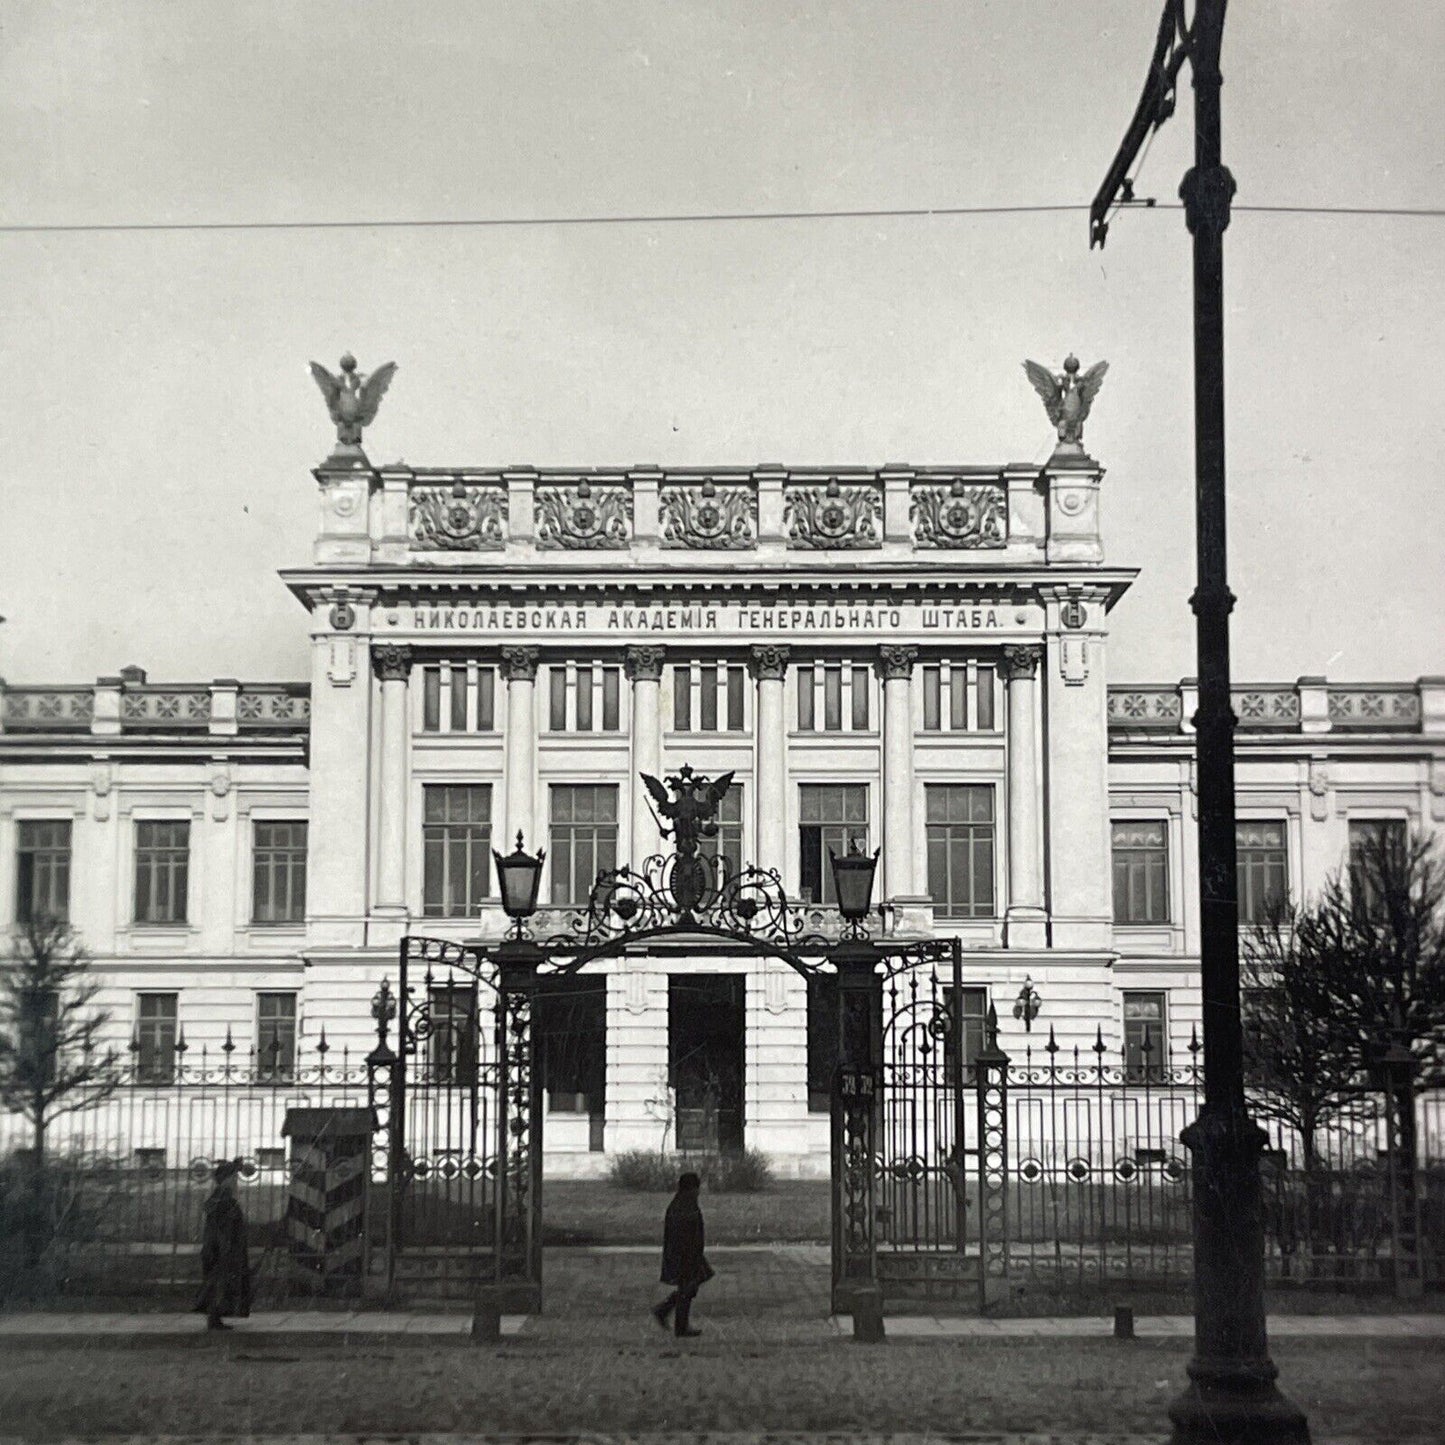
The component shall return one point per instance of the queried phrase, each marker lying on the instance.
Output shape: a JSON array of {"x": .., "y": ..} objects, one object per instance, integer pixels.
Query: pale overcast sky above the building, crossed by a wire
[{"x": 158, "y": 423}]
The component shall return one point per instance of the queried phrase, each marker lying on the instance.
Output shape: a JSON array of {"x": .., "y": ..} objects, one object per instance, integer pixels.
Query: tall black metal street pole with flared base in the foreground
[{"x": 1232, "y": 1394}]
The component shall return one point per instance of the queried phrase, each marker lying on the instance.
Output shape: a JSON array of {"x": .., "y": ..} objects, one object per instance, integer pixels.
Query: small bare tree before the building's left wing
[{"x": 51, "y": 1061}]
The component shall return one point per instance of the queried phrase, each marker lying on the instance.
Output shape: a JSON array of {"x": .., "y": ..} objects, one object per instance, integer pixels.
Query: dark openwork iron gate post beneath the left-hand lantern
[{"x": 518, "y": 1265}]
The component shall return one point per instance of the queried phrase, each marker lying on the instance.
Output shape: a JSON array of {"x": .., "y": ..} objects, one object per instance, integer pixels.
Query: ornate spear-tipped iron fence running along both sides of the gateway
[{"x": 1092, "y": 1187}]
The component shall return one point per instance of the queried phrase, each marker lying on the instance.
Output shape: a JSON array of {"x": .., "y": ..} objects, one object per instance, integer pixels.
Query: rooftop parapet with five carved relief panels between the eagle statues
[{"x": 1017, "y": 514}]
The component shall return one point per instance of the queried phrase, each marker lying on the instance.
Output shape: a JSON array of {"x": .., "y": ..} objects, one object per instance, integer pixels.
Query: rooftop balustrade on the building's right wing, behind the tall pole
[{"x": 1308, "y": 706}]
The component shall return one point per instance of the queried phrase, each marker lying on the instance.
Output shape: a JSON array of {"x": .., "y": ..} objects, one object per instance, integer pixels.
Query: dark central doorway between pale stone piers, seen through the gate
[{"x": 706, "y": 1050}]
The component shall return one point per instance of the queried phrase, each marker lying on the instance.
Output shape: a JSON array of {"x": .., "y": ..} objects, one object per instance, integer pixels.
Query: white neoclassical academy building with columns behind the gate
[{"x": 908, "y": 660}]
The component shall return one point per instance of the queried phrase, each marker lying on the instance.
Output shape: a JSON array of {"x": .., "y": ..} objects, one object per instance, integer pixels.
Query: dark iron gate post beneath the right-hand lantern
[{"x": 856, "y": 1100}]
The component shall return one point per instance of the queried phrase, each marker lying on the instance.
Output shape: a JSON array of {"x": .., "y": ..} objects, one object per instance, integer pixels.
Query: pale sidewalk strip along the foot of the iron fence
[{"x": 44, "y": 1326}]
